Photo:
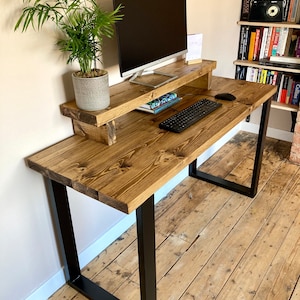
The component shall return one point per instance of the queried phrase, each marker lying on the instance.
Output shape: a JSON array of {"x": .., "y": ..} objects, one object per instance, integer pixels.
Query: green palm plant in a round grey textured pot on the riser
[{"x": 82, "y": 25}]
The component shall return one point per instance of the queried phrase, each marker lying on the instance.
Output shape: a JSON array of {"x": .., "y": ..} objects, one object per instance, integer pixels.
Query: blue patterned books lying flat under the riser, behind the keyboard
[{"x": 160, "y": 104}]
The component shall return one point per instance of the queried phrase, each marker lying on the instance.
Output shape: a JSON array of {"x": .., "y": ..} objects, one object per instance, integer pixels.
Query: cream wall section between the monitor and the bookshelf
[{"x": 217, "y": 20}]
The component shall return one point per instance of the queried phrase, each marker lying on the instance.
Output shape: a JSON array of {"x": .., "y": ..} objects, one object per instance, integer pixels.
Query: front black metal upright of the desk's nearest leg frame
[{"x": 146, "y": 248}]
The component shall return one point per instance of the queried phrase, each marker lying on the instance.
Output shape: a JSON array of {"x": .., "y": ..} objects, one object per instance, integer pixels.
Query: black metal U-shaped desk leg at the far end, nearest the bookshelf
[{"x": 248, "y": 191}]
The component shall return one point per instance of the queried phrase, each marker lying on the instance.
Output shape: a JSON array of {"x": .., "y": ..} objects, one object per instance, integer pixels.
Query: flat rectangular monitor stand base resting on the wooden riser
[{"x": 152, "y": 78}]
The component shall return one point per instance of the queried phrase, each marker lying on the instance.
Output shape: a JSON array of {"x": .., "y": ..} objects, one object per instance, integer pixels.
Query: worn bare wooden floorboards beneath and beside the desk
[{"x": 216, "y": 244}]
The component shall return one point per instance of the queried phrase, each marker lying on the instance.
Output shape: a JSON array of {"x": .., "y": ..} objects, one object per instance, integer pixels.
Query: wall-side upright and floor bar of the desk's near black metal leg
[{"x": 62, "y": 217}]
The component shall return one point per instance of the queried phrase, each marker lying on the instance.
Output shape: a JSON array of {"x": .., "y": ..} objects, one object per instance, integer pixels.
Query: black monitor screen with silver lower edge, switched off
[{"x": 151, "y": 31}]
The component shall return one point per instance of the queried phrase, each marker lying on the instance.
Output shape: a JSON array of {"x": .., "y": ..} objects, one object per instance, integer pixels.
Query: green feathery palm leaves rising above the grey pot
[{"x": 82, "y": 22}]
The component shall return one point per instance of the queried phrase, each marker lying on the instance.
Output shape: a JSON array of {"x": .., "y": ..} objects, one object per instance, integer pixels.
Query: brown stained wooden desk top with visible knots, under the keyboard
[{"x": 145, "y": 157}]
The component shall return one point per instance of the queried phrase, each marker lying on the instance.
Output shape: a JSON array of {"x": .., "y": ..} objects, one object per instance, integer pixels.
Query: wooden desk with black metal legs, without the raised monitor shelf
[{"x": 126, "y": 174}]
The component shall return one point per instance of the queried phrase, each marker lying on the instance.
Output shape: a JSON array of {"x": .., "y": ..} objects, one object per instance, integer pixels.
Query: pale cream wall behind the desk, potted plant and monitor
[{"x": 34, "y": 81}]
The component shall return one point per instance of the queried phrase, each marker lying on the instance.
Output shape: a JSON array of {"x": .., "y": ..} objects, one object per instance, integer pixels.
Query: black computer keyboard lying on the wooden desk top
[{"x": 189, "y": 116}]
